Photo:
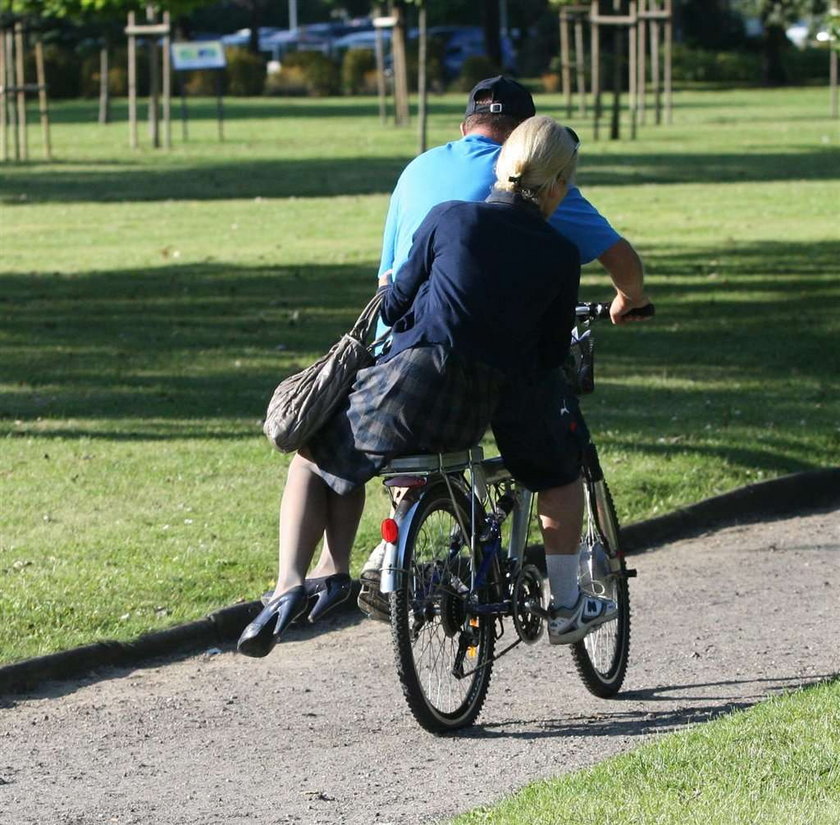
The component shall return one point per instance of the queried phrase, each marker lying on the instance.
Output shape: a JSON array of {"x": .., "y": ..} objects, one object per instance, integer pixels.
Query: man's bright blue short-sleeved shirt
[{"x": 464, "y": 170}]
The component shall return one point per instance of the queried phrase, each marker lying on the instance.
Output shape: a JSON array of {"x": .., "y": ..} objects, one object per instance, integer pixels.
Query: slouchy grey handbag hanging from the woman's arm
[{"x": 303, "y": 402}]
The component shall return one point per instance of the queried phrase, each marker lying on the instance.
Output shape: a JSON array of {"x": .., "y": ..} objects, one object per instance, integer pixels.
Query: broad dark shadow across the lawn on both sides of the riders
[{"x": 195, "y": 350}]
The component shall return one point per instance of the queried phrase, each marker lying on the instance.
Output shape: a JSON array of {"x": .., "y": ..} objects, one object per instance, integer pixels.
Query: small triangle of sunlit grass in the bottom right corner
[{"x": 774, "y": 764}]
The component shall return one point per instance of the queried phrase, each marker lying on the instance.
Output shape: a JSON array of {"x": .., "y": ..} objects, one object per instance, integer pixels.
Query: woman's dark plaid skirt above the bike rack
[{"x": 423, "y": 400}]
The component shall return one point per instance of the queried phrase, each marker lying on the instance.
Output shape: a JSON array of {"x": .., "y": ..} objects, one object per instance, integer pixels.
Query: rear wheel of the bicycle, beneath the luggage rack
[{"x": 429, "y": 622}]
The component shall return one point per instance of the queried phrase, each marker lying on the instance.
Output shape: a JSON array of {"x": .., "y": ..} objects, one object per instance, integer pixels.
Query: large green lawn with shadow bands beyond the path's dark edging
[{"x": 149, "y": 302}]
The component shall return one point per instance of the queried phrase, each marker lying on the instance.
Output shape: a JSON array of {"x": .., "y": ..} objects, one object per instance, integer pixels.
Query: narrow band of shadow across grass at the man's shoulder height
[{"x": 328, "y": 177}]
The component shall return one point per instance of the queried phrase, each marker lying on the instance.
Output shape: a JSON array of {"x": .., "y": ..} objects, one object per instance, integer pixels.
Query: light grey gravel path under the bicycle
[{"x": 319, "y": 732}]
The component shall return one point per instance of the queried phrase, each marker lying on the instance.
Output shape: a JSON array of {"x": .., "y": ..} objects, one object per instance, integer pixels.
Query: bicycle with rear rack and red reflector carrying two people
[{"x": 451, "y": 587}]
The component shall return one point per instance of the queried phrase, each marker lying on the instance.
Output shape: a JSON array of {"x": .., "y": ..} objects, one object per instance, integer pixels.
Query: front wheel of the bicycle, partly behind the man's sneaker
[{"x": 601, "y": 656}]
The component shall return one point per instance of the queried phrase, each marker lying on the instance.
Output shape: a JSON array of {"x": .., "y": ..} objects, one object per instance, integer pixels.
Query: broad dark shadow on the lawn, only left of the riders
[{"x": 182, "y": 342}]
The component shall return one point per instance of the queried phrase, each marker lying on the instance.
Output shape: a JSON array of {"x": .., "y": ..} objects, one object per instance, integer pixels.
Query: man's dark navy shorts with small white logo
[{"x": 539, "y": 430}]
